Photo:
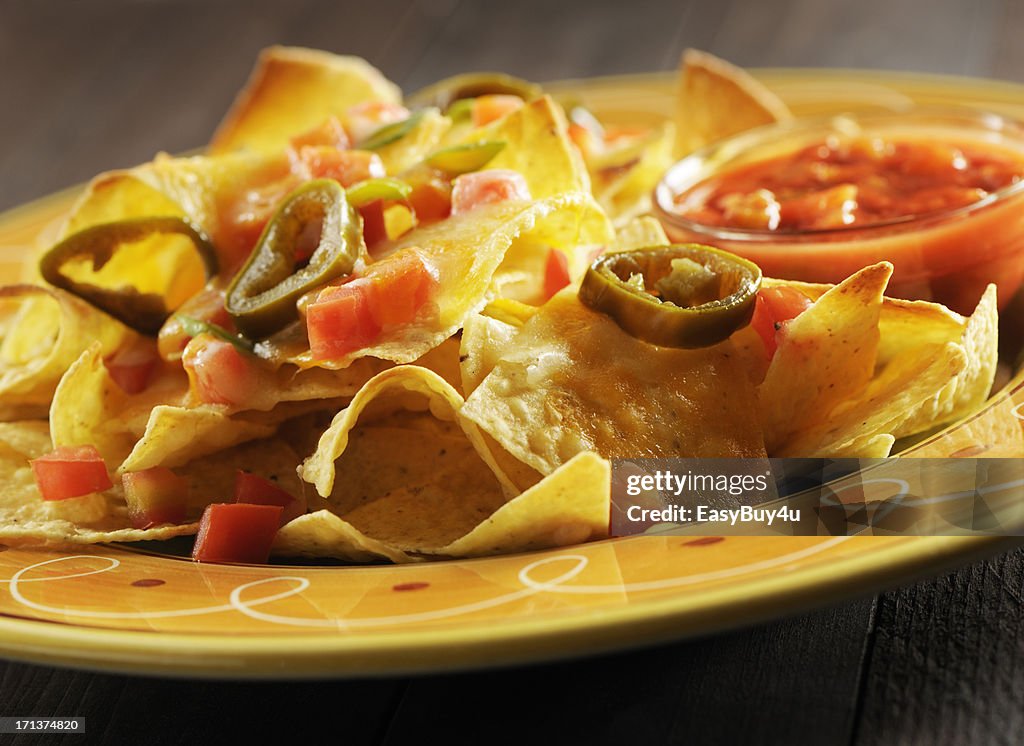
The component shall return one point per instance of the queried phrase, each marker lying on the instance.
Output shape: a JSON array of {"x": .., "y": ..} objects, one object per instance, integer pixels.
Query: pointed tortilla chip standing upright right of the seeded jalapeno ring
[{"x": 826, "y": 357}]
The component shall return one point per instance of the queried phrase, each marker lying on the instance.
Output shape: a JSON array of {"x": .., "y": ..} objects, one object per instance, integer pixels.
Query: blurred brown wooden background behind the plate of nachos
[{"x": 93, "y": 85}]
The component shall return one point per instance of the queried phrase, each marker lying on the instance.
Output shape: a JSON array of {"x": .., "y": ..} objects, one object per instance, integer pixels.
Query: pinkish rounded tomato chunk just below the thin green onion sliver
[{"x": 220, "y": 373}]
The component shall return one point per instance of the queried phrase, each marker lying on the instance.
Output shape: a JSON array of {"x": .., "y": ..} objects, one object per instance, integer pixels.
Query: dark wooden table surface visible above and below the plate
[{"x": 90, "y": 86}]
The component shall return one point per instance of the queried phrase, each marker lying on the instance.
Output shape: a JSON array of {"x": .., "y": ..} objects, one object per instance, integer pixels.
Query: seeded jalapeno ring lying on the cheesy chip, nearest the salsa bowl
[{"x": 686, "y": 295}]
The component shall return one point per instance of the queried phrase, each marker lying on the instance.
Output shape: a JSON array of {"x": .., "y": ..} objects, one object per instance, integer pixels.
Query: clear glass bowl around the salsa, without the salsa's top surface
[{"x": 948, "y": 256}]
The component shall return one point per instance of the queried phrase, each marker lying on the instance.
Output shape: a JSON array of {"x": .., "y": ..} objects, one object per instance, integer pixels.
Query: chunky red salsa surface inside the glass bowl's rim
[{"x": 850, "y": 183}]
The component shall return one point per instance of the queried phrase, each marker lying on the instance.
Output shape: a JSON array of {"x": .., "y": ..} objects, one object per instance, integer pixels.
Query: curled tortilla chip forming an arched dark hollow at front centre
[{"x": 436, "y": 488}]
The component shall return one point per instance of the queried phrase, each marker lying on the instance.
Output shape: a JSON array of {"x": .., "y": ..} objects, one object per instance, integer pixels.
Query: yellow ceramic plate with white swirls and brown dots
[{"x": 121, "y": 609}]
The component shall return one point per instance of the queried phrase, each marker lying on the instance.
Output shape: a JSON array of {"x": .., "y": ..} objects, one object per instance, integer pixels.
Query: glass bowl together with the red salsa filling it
[{"x": 941, "y": 195}]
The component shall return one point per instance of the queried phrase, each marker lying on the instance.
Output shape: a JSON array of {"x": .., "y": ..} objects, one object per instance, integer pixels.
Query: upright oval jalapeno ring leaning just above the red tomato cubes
[{"x": 262, "y": 297}]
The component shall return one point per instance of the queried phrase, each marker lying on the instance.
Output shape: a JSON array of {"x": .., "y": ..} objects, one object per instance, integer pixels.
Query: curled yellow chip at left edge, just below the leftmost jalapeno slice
[{"x": 45, "y": 332}]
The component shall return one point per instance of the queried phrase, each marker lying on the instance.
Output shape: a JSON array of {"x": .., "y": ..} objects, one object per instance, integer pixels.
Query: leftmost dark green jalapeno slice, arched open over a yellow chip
[{"x": 145, "y": 313}]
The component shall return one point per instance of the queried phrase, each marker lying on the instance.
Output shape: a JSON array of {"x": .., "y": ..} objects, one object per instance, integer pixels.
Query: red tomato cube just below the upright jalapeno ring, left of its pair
[{"x": 340, "y": 322}]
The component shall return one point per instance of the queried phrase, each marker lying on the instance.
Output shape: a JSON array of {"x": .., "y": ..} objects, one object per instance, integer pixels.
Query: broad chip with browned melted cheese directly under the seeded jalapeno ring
[{"x": 573, "y": 381}]
